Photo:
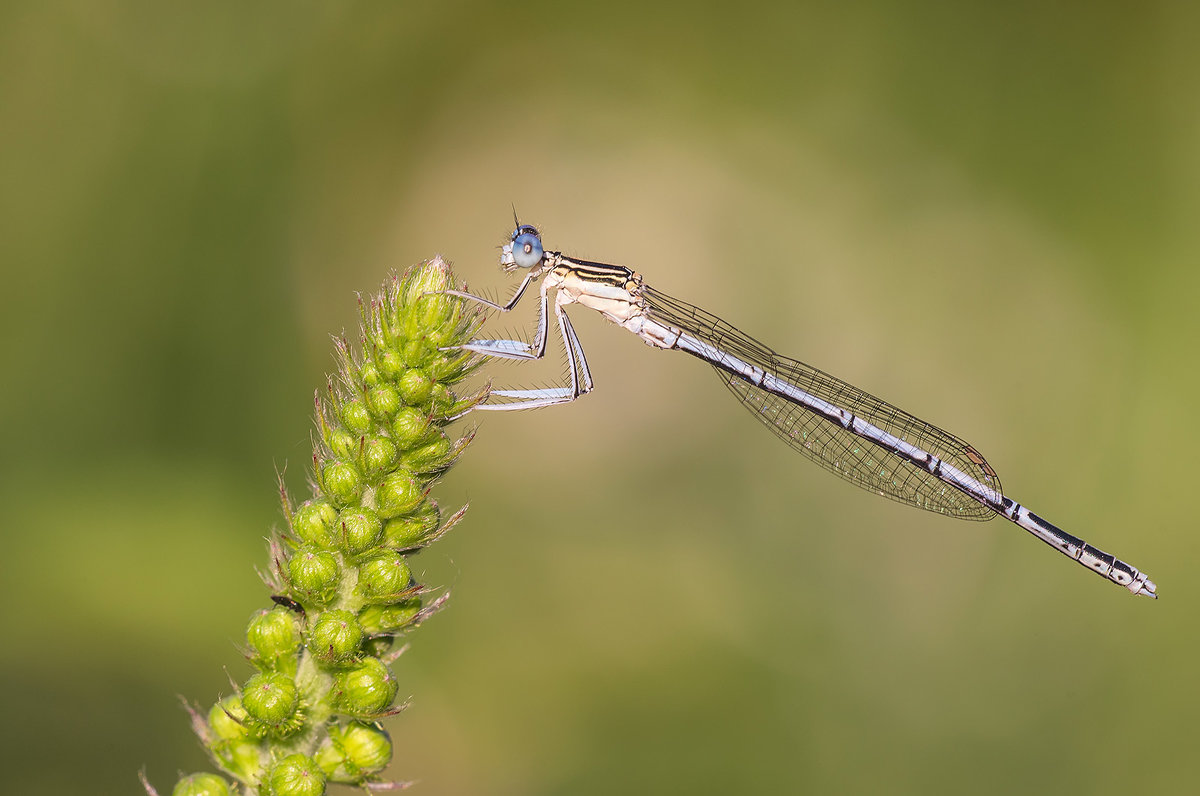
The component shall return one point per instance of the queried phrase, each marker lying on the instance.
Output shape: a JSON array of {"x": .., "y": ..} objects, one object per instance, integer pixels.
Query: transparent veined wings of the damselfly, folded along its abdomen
[{"x": 831, "y": 446}]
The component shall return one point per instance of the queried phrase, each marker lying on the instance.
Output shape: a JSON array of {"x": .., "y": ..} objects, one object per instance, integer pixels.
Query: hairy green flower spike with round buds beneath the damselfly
[{"x": 343, "y": 585}]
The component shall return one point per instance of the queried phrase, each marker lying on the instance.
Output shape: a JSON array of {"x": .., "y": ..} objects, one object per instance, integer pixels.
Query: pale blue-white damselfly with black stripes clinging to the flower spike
[{"x": 860, "y": 438}]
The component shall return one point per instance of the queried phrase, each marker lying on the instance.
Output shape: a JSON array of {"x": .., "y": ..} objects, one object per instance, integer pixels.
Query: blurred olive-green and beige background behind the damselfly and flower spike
[{"x": 986, "y": 213}]
